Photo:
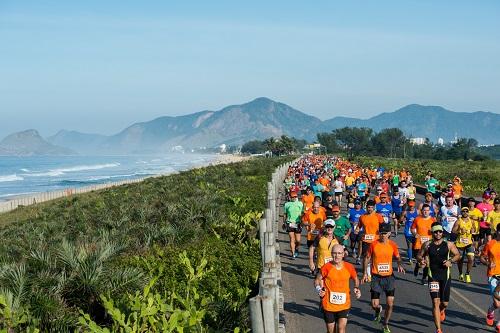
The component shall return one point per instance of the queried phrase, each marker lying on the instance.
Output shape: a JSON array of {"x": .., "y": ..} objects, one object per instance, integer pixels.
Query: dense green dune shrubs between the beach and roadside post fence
[{"x": 172, "y": 254}]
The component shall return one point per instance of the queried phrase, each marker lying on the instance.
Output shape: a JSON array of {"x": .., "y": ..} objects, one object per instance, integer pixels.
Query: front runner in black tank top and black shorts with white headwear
[{"x": 441, "y": 255}]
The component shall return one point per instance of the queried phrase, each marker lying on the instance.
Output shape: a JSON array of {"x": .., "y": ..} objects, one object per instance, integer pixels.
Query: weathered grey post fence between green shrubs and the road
[{"x": 266, "y": 309}]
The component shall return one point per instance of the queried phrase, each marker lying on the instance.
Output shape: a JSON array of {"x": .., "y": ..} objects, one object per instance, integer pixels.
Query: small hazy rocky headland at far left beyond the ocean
[{"x": 28, "y": 143}]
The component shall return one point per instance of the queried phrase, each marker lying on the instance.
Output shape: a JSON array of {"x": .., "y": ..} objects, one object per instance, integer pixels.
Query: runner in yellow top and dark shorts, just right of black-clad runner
[{"x": 464, "y": 228}]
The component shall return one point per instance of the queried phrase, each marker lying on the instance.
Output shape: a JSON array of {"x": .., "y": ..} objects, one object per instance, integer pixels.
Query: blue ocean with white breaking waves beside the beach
[{"x": 34, "y": 174}]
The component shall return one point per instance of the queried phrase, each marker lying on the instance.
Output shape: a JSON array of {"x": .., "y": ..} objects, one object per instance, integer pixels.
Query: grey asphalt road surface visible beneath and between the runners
[{"x": 412, "y": 310}]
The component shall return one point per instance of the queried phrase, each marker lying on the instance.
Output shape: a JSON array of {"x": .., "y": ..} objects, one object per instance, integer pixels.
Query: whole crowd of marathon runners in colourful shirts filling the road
[{"x": 441, "y": 230}]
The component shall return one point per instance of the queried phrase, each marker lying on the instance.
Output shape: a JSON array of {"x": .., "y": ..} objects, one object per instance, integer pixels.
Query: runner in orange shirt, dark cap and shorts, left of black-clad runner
[{"x": 381, "y": 253}]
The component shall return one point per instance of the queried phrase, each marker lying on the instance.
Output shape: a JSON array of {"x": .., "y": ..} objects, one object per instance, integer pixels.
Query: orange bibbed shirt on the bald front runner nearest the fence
[{"x": 336, "y": 283}]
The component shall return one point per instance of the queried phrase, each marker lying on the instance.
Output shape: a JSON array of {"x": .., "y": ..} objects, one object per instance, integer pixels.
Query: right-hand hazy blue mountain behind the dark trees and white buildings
[{"x": 431, "y": 122}]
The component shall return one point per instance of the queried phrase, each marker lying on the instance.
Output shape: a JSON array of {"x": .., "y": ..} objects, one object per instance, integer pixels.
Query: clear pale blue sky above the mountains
[{"x": 100, "y": 66}]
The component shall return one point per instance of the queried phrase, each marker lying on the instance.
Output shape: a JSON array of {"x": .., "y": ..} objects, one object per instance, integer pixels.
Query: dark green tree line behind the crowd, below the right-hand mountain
[{"x": 391, "y": 142}]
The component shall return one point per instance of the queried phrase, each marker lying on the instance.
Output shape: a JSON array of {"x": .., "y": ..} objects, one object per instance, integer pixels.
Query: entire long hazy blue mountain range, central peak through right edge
[{"x": 262, "y": 118}]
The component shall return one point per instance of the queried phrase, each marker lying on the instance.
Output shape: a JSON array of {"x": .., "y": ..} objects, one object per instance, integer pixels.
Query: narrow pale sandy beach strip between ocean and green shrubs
[{"x": 12, "y": 203}]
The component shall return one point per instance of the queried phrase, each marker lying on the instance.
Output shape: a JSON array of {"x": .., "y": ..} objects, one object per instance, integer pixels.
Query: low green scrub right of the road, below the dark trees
[{"x": 475, "y": 175}]
